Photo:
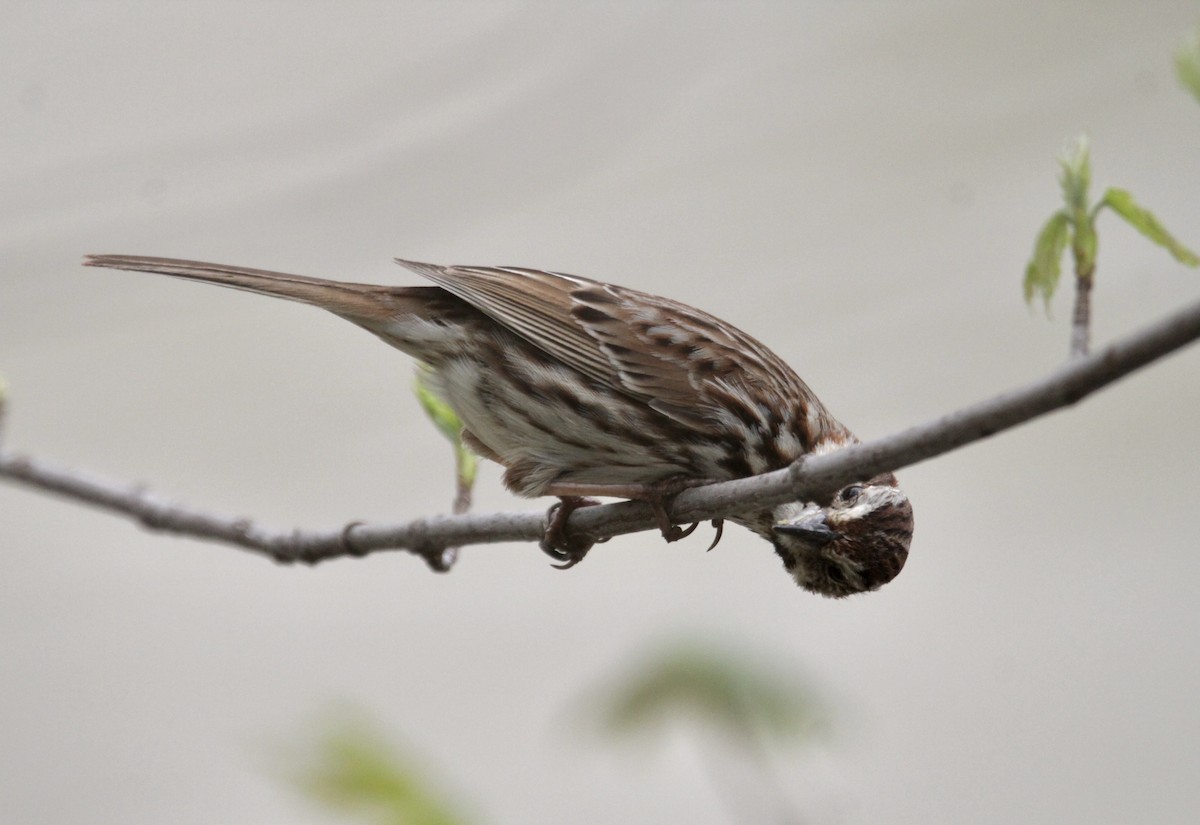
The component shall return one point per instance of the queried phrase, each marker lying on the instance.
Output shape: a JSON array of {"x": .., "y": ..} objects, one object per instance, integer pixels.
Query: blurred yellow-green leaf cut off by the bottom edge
[{"x": 355, "y": 773}]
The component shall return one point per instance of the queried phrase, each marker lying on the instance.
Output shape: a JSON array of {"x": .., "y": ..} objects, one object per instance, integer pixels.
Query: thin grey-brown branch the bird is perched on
[{"x": 809, "y": 477}]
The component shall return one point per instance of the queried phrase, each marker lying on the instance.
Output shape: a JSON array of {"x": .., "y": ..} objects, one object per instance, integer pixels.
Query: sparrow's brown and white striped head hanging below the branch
[{"x": 855, "y": 541}]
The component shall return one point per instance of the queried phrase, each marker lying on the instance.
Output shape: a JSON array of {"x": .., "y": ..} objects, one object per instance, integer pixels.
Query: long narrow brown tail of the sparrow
[{"x": 362, "y": 304}]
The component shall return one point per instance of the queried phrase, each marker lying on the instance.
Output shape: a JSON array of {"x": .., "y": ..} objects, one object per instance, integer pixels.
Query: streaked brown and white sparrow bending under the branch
[{"x": 581, "y": 388}]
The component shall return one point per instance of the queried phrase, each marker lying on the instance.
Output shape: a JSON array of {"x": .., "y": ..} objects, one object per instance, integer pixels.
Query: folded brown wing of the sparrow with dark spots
[{"x": 674, "y": 358}]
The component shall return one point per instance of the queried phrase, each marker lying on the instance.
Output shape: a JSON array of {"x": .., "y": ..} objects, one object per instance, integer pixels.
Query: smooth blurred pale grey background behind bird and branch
[{"x": 857, "y": 184}]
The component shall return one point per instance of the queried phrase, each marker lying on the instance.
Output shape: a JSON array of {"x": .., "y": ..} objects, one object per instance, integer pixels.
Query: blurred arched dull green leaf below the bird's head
[{"x": 717, "y": 690}]
